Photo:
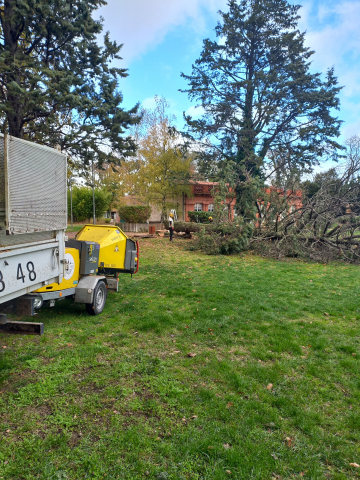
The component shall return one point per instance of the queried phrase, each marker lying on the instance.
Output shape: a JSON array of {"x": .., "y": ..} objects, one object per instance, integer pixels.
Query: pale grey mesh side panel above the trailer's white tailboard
[{"x": 36, "y": 177}]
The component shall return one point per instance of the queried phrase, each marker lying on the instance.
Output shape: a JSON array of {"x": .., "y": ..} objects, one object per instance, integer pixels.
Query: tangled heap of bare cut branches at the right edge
[{"x": 322, "y": 227}]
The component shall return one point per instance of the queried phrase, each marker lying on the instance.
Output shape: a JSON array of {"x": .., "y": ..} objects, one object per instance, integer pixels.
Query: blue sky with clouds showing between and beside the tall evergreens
[{"x": 163, "y": 38}]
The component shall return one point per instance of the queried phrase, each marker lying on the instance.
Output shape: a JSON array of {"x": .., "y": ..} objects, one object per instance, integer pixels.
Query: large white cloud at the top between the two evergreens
[{"x": 142, "y": 24}]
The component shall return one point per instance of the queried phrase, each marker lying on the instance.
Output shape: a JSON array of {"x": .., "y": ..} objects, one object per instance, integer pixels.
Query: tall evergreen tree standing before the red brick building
[{"x": 258, "y": 93}]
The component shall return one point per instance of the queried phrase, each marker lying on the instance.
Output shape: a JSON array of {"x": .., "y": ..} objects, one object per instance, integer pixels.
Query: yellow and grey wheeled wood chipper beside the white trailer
[{"x": 93, "y": 262}]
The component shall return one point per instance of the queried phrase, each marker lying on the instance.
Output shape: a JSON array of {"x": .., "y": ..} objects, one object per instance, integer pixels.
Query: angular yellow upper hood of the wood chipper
[{"x": 112, "y": 243}]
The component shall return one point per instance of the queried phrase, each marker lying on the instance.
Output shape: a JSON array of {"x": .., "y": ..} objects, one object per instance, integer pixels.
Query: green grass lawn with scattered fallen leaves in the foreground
[{"x": 199, "y": 368}]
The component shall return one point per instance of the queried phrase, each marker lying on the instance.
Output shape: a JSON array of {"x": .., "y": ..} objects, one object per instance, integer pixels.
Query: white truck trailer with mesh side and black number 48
[{"x": 33, "y": 220}]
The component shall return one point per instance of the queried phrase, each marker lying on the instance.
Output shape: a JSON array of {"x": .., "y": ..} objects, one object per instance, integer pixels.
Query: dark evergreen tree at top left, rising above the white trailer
[{"x": 57, "y": 85}]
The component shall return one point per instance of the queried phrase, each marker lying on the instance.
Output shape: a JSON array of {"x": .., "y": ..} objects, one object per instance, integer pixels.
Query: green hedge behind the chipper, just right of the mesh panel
[{"x": 83, "y": 202}]
